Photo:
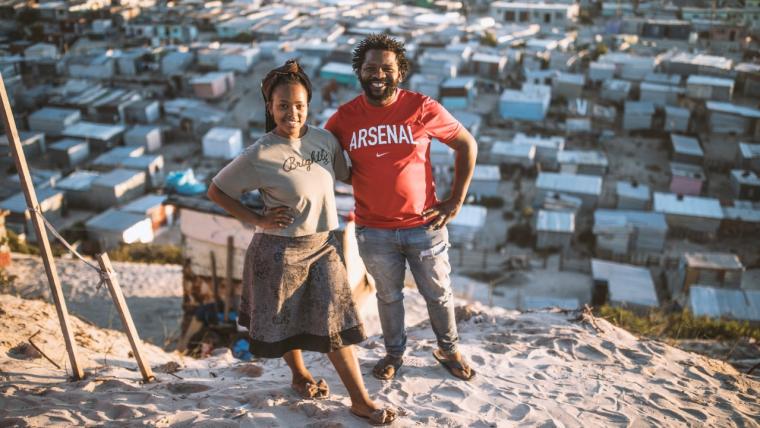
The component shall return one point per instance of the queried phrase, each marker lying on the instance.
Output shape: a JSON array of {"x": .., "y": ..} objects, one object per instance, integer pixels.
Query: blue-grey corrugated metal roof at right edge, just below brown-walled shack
[{"x": 723, "y": 302}]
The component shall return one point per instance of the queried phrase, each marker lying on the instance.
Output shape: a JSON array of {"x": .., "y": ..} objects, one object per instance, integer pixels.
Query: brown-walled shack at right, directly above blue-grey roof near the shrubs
[{"x": 723, "y": 270}]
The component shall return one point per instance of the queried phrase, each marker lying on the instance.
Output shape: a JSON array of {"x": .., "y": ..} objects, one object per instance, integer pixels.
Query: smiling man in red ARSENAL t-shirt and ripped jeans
[{"x": 387, "y": 133}]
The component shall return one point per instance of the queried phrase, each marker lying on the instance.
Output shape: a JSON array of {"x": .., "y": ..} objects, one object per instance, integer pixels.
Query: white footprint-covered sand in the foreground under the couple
[{"x": 534, "y": 369}]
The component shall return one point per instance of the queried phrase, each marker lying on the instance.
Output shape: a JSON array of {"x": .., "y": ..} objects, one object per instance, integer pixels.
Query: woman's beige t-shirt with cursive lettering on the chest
[{"x": 299, "y": 174}]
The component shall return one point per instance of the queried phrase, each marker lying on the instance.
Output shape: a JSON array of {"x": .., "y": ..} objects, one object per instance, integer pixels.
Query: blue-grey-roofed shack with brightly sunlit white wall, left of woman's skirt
[{"x": 114, "y": 227}]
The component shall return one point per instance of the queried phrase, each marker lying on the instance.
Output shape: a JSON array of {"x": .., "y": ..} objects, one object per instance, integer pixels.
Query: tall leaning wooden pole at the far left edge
[{"x": 39, "y": 228}]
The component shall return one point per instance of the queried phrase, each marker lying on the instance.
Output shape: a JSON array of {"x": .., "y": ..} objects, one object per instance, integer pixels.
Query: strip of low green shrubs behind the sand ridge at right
[{"x": 677, "y": 325}]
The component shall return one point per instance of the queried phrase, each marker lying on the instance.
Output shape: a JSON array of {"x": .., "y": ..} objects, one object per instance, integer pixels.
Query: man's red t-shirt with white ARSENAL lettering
[{"x": 389, "y": 149}]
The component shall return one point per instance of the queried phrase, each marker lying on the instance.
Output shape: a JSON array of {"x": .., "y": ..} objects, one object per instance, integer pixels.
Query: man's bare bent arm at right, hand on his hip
[{"x": 466, "y": 149}]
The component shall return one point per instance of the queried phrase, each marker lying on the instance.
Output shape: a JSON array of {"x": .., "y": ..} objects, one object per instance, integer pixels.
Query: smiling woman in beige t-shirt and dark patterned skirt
[{"x": 295, "y": 290}]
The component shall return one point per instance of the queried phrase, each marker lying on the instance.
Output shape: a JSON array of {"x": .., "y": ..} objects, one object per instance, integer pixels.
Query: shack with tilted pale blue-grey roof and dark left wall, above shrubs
[{"x": 624, "y": 285}]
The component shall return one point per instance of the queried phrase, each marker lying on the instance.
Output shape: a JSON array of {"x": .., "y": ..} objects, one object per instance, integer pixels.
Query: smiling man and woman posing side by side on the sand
[{"x": 296, "y": 294}]
